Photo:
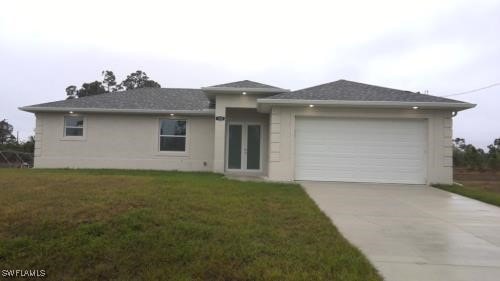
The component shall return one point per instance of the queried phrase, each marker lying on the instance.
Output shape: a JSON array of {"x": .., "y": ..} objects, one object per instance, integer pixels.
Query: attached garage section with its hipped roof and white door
[{"x": 355, "y": 132}]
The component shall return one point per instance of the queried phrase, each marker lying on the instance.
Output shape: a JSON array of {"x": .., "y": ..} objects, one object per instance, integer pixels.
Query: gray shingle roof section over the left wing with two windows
[{"x": 139, "y": 99}]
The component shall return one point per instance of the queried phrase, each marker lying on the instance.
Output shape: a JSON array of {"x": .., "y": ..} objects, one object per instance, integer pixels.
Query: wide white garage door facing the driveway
[{"x": 361, "y": 150}]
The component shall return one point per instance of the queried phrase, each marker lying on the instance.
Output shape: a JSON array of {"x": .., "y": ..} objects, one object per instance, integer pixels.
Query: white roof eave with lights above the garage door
[{"x": 264, "y": 105}]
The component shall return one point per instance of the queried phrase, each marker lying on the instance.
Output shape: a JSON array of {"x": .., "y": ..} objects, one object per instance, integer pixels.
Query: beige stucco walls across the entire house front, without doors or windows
[{"x": 131, "y": 141}]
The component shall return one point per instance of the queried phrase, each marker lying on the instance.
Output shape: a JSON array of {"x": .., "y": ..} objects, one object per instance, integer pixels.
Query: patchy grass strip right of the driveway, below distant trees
[{"x": 483, "y": 186}]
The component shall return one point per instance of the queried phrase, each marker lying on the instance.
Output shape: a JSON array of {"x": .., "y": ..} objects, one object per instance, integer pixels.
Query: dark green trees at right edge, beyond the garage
[{"x": 470, "y": 157}]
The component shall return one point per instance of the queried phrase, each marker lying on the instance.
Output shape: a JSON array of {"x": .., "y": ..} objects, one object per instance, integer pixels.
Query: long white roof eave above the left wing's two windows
[{"x": 35, "y": 109}]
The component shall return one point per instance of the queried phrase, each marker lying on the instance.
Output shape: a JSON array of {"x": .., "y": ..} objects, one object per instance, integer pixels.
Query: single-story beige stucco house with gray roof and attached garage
[{"x": 339, "y": 131}]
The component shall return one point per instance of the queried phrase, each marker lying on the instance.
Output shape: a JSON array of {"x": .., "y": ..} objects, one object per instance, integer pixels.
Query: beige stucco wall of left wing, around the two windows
[{"x": 121, "y": 141}]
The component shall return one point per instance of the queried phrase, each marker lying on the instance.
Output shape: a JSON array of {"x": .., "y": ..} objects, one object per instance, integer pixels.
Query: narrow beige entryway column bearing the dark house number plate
[{"x": 220, "y": 138}]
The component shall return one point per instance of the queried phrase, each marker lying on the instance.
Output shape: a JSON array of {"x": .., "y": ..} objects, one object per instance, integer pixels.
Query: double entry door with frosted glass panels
[{"x": 244, "y": 146}]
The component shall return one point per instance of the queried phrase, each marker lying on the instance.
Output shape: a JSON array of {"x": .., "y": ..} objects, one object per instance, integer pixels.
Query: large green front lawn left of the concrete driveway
[{"x": 149, "y": 225}]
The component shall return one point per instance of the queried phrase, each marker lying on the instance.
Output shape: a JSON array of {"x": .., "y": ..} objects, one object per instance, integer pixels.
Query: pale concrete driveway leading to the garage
[{"x": 414, "y": 232}]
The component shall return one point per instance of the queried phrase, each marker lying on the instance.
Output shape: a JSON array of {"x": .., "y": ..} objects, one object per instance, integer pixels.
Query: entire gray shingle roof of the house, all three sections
[{"x": 195, "y": 100}]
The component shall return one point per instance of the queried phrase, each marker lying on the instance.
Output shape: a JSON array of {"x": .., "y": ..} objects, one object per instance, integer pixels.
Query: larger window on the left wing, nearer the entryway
[{"x": 172, "y": 135}]
